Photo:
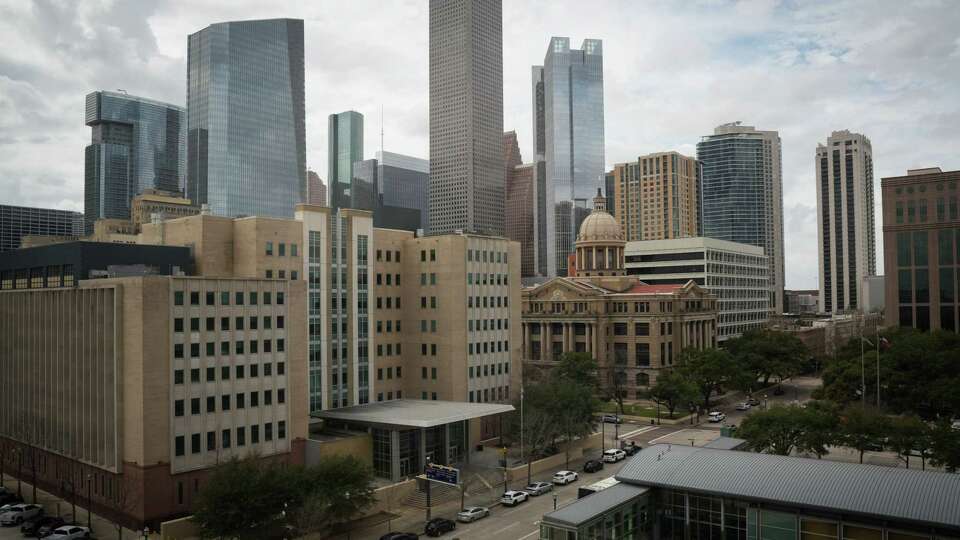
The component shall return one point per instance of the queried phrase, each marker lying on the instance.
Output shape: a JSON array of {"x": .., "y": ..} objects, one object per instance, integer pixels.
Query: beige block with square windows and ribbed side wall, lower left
[{"x": 139, "y": 385}]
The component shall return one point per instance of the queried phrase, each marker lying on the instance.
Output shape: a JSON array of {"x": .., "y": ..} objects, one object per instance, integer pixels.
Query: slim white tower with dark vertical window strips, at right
[{"x": 845, "y": 221}]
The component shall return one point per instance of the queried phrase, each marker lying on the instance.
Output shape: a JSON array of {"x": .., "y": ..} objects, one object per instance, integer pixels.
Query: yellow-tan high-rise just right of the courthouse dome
[{"x": 658, "y": 197}]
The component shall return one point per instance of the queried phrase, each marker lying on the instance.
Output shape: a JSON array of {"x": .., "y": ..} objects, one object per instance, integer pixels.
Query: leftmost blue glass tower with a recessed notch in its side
[{"x": 136, "y": 144}]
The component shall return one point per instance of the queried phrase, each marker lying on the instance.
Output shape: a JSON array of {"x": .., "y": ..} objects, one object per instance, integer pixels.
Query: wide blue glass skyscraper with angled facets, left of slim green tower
[{"x": 245, "y": 117}]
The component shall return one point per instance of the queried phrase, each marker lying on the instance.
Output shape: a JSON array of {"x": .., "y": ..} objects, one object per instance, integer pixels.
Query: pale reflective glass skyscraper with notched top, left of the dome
[{"x": 569, "y": 137}]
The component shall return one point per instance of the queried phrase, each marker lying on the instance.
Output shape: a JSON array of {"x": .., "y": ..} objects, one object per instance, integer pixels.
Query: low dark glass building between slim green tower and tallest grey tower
[{"x": 395, "y": 187}]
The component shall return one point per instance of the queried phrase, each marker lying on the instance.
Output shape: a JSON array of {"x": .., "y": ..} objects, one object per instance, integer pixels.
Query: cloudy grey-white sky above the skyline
[{"x": 672, "y": 72}]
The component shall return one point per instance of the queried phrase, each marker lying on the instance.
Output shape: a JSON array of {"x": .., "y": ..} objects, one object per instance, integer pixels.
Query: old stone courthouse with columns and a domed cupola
[{"x": 631, "y": 328}]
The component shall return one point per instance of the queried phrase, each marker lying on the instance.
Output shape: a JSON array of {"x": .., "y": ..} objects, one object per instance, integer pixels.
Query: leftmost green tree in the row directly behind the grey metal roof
[{"x": 778, "y": 430}]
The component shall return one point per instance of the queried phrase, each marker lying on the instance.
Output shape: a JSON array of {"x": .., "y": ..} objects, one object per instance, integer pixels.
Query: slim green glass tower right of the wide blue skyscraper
[{"x": 344, "y": 148}]
